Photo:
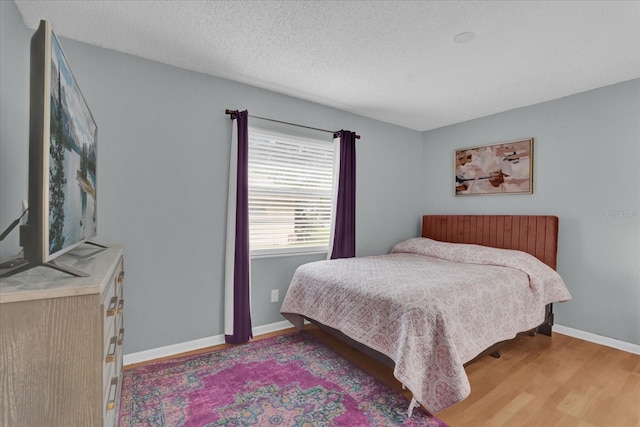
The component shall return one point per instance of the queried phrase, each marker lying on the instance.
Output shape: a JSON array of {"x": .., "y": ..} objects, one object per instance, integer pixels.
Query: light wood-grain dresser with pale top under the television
[{"x": 61, "y": 342}]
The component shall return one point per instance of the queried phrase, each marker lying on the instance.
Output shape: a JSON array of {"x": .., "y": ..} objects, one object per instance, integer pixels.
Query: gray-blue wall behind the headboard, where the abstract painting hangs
[{"x": 587, "y": 172}]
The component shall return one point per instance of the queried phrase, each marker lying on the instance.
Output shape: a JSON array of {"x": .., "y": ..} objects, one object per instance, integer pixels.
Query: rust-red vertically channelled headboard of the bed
[{"x": 535, "y": 234}]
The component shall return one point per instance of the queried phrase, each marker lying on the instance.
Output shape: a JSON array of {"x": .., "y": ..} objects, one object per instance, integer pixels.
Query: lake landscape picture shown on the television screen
[{"x": 72, "y": 159}]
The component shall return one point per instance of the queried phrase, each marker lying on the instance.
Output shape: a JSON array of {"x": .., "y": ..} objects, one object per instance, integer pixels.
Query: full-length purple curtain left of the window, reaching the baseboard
[{"x": 241, "y": 264}]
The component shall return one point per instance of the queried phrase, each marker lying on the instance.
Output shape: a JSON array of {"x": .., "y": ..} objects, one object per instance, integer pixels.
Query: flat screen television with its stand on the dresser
[{"x": 63, "y": 150}]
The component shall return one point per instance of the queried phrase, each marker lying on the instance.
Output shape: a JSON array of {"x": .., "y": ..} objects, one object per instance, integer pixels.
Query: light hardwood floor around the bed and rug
[{"x": 538, "y": 381}]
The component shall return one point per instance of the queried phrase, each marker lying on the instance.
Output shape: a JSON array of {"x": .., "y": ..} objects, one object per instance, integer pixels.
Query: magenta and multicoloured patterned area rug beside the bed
[{"x": 290, "y": 380}]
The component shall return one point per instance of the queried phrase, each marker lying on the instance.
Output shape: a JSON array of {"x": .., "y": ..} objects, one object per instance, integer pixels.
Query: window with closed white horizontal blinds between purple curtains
[{"x": 290, "y": 188}]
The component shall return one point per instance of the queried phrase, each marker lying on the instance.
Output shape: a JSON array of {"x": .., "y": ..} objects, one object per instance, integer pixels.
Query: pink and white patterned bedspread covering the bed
[{"x": 430, "y": 306}]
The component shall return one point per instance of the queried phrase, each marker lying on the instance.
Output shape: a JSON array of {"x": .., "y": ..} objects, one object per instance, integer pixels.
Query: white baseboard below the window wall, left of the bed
[{"x": 174, "y": 349}]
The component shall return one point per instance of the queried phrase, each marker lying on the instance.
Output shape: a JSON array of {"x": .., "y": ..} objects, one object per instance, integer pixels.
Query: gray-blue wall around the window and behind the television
[{"x": 162, "y": 180}]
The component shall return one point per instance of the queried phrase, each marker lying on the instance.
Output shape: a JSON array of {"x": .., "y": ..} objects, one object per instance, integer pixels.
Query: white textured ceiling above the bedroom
[{"x": 393, "y": 61}]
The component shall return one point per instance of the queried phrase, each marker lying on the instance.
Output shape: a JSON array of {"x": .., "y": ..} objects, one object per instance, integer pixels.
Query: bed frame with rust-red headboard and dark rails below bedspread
[{"x": 534, "y": 234}]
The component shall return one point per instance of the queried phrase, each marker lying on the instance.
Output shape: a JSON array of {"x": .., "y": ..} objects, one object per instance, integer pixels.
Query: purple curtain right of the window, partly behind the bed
[{"x": 344, "y": 239}]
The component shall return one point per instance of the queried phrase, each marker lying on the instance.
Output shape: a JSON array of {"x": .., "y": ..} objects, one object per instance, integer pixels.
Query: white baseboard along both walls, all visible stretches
[{"x": 172, "y": 350}]
